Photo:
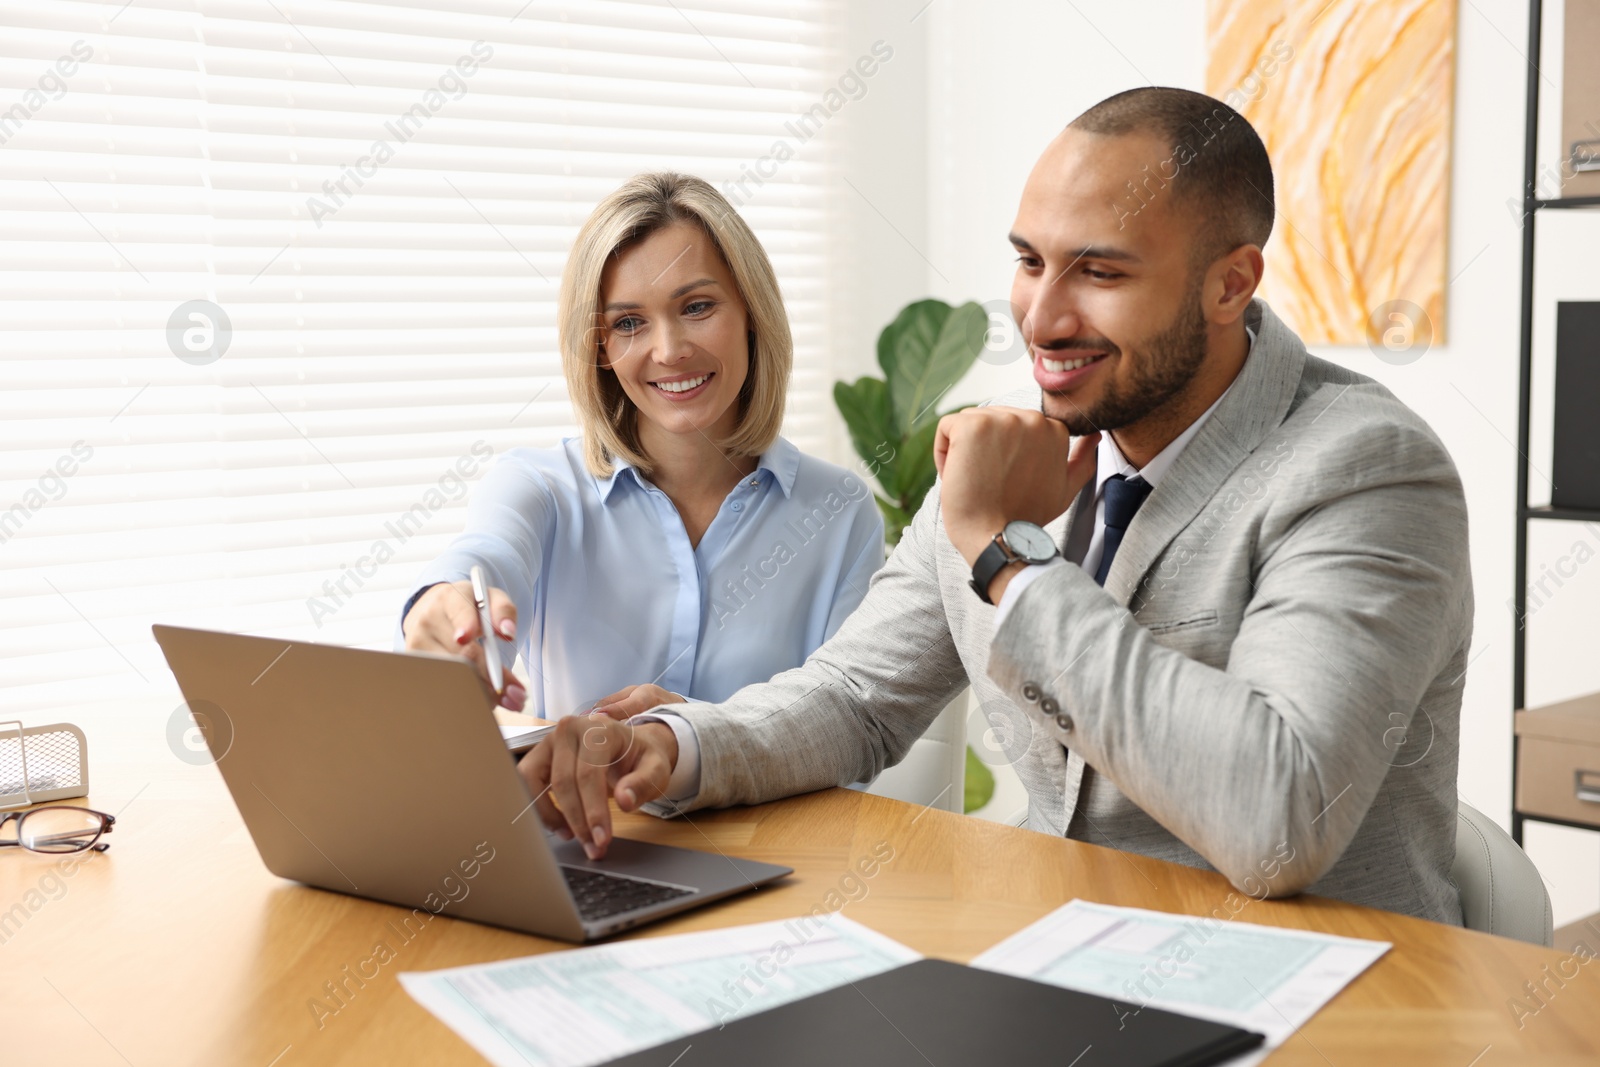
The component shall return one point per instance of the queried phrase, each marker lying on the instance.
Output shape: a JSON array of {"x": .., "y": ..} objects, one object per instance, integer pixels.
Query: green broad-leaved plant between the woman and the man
[{"x": 924, "y": 353}]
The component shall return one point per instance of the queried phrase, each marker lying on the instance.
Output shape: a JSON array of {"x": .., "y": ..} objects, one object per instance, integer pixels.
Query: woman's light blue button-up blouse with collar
[{"x": 610, "y": 594}]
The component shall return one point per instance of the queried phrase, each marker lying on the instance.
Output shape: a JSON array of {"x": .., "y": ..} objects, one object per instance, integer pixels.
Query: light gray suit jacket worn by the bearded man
[{"x": 1268, "y": 685}]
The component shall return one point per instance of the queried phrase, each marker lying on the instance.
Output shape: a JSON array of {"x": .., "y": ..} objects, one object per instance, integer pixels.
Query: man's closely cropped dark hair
[{"x": 1222, "y": 166}]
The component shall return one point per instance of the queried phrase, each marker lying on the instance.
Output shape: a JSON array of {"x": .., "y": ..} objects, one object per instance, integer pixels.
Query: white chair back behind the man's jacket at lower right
[{"x": 1502, "y": 892}]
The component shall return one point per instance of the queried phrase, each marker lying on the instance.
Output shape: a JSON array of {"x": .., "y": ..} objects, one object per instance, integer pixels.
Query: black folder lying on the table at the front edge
[{"x": 954, "y": 1017}]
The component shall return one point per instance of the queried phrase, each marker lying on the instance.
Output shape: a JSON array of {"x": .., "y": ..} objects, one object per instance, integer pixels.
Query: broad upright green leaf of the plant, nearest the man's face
[{"x": 924, "y": 353}]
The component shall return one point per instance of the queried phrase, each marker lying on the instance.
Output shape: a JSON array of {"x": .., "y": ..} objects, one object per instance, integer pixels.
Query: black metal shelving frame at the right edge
[{"x": 1532, "y": 209}]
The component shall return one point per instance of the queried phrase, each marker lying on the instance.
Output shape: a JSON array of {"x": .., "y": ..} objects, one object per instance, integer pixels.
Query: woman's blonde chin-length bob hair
[{"x": 644, "y": 206}]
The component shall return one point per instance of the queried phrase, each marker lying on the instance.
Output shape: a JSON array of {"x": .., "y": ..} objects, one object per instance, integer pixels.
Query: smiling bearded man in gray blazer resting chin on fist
[{"x": 1212, "y": 593}]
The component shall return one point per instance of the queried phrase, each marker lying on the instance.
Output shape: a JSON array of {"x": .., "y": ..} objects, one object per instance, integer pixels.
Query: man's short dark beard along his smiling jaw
[{"x": 1159, "y": 372}]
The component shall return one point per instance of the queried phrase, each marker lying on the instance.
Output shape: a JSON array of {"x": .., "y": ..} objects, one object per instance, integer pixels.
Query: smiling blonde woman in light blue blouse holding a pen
[{"x": 679, "y": 543}]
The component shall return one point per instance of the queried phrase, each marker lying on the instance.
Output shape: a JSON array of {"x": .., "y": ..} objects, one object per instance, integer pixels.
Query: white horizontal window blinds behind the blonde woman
[{"x": 279, "y": 284}]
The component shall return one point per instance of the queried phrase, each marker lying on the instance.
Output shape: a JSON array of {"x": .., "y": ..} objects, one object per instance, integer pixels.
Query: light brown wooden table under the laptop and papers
[{"x": 178, "y": 948}]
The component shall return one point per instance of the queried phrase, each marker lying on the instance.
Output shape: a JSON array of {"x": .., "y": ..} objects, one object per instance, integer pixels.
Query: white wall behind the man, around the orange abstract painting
[{"x": 1004, "y": 79}]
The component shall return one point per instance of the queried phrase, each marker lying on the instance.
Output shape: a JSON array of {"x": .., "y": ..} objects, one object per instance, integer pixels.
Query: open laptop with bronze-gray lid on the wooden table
[{"x": 385, "y": 775}]
